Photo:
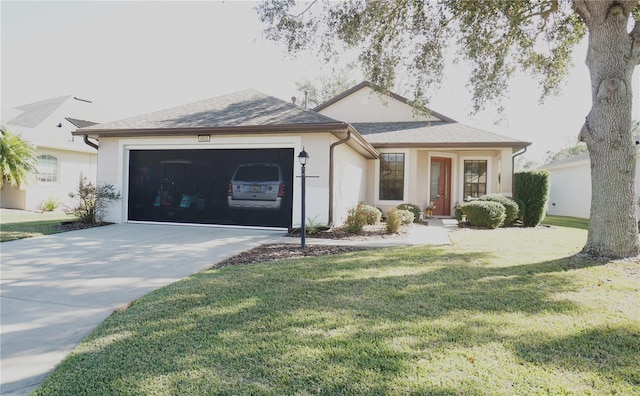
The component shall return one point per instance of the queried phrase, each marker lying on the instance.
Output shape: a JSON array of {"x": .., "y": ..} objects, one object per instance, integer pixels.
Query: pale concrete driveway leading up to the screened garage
[{"x": 56, "y": 289}]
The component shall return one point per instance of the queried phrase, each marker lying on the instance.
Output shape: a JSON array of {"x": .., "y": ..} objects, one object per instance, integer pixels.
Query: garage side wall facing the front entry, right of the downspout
[{"x": 350, "y": 182}]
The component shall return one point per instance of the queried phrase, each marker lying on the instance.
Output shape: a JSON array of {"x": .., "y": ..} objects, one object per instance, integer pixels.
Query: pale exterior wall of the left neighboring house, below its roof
[{"x": 71, "y": 164}]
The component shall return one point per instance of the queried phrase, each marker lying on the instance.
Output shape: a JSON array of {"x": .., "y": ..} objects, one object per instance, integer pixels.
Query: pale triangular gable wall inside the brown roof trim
[{"x": 365, "y": 105}]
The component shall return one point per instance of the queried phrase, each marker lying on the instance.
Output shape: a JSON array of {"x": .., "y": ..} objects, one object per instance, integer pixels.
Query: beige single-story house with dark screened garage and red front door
[{"x": 232, "y": 160}]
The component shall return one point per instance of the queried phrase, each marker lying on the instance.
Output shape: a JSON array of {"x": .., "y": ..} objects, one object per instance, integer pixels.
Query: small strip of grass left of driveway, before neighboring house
[{"x": 15, "y": 224}]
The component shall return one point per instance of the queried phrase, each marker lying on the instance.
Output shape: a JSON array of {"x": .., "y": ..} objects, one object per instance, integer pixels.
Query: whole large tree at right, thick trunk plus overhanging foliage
[{"x": 497, "y": 38}]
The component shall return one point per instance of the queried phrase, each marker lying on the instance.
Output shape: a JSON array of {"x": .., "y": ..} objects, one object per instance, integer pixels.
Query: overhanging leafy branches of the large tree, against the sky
[{"x": 412, "y": 36}]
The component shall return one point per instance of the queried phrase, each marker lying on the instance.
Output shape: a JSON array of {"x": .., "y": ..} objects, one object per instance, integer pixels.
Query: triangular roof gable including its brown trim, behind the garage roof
[{"x": 363, "y": 103}]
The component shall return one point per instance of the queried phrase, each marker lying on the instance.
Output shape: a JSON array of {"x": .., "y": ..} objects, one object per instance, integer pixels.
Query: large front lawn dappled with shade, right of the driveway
[{"x": 501, "y": 312}]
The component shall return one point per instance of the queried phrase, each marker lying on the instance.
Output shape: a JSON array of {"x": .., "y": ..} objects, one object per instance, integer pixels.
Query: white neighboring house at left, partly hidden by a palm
[{"x": 61, "y": 157}]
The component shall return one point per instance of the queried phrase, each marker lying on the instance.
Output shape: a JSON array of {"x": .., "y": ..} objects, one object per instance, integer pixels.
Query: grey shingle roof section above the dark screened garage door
[{"x": 244, "y": 108}]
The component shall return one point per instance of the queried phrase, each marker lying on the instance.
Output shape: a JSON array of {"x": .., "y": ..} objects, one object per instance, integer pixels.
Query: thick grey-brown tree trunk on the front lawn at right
[{"x": 613, "y": 228}]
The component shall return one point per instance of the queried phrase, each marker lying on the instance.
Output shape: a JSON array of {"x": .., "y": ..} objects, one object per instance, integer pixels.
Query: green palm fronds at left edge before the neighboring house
[{"x": 17, "y": 159}]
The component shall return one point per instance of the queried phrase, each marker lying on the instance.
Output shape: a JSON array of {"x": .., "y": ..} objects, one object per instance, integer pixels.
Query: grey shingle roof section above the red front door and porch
[{"x": 430, "y": 133}]
